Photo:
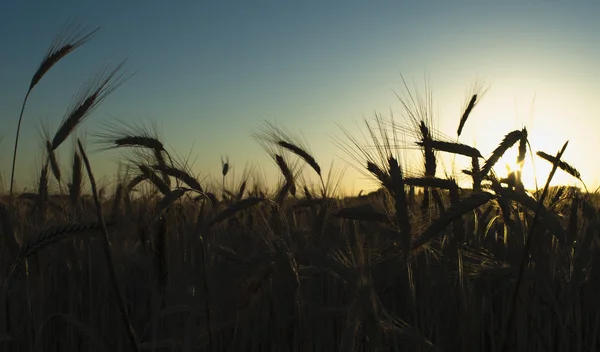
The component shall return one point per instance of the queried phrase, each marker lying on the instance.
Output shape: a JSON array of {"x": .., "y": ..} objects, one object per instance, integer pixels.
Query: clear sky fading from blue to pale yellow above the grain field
[{"x": 209, "y": 74}]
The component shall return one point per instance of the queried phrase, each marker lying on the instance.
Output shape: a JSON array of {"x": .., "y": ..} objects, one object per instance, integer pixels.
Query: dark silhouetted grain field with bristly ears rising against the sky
[{"x": 167, "y": 263}]
